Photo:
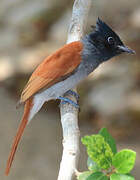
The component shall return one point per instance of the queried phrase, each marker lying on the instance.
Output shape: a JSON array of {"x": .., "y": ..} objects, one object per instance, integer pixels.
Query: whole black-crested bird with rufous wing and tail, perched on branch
[{"x": 63, "y": 70}]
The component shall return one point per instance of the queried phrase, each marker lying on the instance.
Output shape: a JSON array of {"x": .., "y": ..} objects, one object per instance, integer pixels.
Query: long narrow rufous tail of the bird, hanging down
[{"x": 27, "y": 108}]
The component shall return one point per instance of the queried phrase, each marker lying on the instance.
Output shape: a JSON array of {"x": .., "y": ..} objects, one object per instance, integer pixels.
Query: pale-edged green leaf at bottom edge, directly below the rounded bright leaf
[{"x": 116, "y": 176}]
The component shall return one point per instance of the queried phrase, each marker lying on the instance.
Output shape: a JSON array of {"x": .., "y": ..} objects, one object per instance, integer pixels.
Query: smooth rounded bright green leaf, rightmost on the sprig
[{"x": 124, "y": 161}]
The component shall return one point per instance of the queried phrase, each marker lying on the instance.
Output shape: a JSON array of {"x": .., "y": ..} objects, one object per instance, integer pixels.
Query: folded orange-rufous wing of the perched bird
[{"x": 54, "y": 68}]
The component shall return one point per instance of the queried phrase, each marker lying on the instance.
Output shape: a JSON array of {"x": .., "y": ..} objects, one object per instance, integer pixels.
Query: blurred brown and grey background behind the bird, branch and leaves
[{"x": 29, "y": 31}]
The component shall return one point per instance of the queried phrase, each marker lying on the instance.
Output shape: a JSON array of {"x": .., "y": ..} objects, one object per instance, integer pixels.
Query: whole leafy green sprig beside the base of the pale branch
[{"x": 104, "y": 162}]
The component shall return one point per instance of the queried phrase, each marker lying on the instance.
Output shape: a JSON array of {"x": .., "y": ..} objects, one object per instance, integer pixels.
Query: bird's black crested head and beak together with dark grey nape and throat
[{"x": 103, "y": 43}]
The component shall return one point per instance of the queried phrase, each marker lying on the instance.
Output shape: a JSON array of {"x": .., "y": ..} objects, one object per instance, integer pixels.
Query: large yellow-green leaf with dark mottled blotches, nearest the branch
[{"x": 98, "y": 150}]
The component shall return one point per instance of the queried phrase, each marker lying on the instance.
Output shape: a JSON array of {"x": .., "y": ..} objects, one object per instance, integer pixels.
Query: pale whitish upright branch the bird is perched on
[{"x": 69, "y": 114}]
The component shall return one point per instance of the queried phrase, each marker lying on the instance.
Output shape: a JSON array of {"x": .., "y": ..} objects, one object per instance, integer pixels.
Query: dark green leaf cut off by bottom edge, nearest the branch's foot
[{"x": 97, "y": 176}]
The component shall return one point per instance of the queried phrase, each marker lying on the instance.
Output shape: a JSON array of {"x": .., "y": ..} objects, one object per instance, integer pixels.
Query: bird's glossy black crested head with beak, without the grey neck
[{"x": 107, "y": 42}]
